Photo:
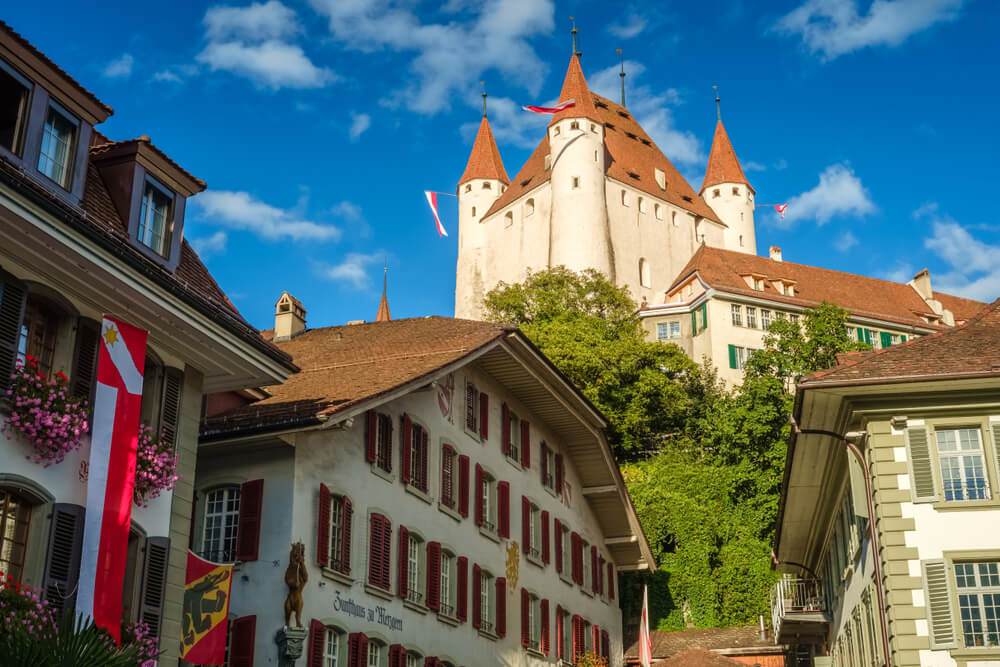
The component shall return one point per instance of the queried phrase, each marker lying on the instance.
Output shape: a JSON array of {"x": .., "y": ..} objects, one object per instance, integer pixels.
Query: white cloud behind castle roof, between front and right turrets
[{"x": 652, "y": 110}]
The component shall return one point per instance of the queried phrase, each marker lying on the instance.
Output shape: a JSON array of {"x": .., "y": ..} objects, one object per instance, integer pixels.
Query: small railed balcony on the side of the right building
[{"x": 798, "y": 611}]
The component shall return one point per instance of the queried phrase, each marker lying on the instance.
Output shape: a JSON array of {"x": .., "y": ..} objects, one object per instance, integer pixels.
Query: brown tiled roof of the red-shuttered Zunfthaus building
[{"x": 341, "y": 366}]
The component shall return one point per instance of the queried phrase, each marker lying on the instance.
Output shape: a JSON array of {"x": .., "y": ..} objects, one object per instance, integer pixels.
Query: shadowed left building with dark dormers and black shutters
[{"x": 89, "y": 227}]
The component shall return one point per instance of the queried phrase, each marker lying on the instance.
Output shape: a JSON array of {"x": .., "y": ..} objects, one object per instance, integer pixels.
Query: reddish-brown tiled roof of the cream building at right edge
[{"x": 968, "y": 350}]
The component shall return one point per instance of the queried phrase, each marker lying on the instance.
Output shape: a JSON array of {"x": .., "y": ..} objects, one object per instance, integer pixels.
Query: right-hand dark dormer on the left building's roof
[{"x": 150, "y": 192}]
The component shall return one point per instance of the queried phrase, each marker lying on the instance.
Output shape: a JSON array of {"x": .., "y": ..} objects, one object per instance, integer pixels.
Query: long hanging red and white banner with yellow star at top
[{"x": 111, "y": 479}]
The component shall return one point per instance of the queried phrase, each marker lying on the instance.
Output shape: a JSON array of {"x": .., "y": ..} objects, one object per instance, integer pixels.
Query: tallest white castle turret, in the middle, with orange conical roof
[{"x": 580, "y": 234}]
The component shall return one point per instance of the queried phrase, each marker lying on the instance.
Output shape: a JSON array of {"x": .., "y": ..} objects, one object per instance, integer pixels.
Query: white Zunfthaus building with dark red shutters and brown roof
[{"x": 457, "y": 501}]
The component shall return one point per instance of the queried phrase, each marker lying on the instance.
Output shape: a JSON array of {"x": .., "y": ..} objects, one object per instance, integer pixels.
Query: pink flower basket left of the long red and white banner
[{"x": 47, "y": 415}]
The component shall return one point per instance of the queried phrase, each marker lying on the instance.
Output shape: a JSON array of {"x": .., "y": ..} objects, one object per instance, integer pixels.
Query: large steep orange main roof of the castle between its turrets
[{"x": 632, "y": 159}]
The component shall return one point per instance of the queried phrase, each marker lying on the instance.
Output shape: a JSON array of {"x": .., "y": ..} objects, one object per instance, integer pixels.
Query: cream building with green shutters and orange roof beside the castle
[{"x": 722, "y": 303}]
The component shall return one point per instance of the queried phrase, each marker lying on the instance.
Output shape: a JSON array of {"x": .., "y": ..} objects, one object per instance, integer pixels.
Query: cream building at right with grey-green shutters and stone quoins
[{"x": 890, "y": 553}]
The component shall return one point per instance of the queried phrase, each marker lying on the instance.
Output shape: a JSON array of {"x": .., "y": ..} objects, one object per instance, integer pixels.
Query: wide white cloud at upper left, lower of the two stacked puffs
[{"x": 272, "y": 64}]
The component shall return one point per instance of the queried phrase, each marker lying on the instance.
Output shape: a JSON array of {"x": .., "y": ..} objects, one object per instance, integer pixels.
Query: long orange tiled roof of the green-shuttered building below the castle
[{"x": 860, "y": 295}]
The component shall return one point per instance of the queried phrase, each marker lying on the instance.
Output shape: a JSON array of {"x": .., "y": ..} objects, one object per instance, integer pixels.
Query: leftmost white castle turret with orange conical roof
[{"x": 482, "y": 183}]
